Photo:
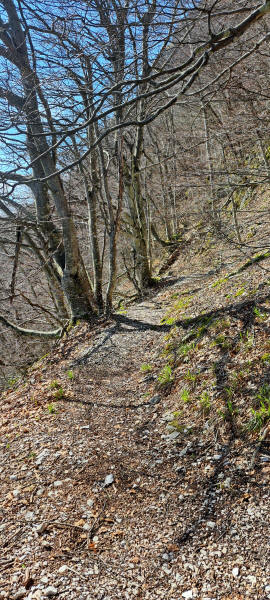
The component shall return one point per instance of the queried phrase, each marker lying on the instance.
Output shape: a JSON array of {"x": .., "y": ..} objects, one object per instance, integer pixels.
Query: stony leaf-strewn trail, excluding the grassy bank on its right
[{"x": 98, "y": 501}]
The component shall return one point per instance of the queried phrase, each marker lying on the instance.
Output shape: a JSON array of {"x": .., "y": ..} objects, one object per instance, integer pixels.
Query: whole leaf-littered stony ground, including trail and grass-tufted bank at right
[{"x": 135, "y": 457}]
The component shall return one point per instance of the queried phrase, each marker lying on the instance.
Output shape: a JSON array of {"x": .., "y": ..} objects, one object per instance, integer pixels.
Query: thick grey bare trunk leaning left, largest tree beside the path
[{"x": 74, "y": 279}]
